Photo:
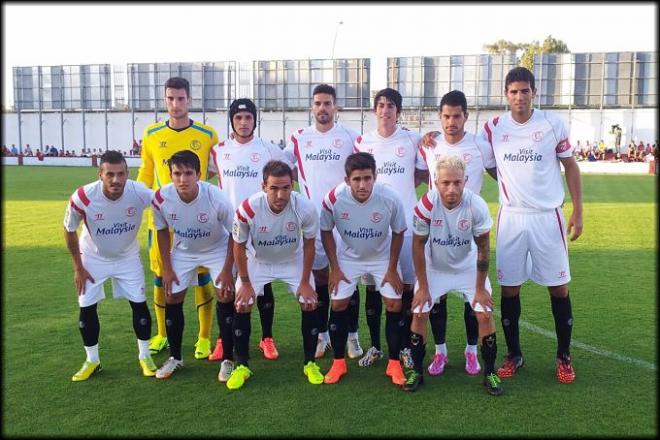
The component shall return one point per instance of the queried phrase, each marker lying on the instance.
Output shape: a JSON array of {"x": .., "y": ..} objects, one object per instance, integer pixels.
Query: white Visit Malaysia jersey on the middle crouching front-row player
[{"x": 276, "y": 238}]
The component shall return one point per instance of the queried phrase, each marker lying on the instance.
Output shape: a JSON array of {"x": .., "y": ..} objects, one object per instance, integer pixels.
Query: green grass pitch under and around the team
[{"x": 614, "y": 305}]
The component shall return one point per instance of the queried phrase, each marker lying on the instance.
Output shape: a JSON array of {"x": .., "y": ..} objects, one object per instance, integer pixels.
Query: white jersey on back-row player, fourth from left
[{"x": 396, "y": 156}]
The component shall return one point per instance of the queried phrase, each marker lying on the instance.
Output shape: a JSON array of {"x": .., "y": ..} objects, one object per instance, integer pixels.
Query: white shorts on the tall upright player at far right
[{"x": 539, "y": 234}]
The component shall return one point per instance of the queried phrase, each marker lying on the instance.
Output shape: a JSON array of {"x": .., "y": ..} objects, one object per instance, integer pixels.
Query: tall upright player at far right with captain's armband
[{"x": 528, "y": 144}]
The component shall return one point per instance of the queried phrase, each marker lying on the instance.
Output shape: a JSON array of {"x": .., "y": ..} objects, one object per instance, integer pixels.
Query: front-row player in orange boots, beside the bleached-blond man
[{"x": 370, "y": 220}]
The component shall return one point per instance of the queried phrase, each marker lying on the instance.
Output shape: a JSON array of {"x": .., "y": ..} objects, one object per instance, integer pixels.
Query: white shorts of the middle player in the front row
[{"x": 261, "y": 273}]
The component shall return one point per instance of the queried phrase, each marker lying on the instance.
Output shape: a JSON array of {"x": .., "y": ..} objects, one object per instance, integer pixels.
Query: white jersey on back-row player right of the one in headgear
[{"x": 320, "y": 159}]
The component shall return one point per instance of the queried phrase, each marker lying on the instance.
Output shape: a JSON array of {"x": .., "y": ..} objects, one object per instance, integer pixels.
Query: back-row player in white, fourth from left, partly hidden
[{"x": 400, "y": 165}]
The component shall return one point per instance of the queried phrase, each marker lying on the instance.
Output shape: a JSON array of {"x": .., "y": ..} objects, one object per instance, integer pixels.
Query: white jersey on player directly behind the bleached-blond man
[{"x": 472, "y": 149}]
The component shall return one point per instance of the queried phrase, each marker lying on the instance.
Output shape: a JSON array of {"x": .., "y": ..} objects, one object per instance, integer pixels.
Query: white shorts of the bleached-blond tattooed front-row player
[{"x": 440, "y": 283}]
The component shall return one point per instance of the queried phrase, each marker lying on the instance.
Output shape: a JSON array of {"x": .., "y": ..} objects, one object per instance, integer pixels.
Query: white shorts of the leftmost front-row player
[{"x": 127, "y": 279}]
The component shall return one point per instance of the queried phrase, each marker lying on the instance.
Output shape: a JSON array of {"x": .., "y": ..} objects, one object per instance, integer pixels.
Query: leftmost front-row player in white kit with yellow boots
[{"x": 111, "y": 209}]
